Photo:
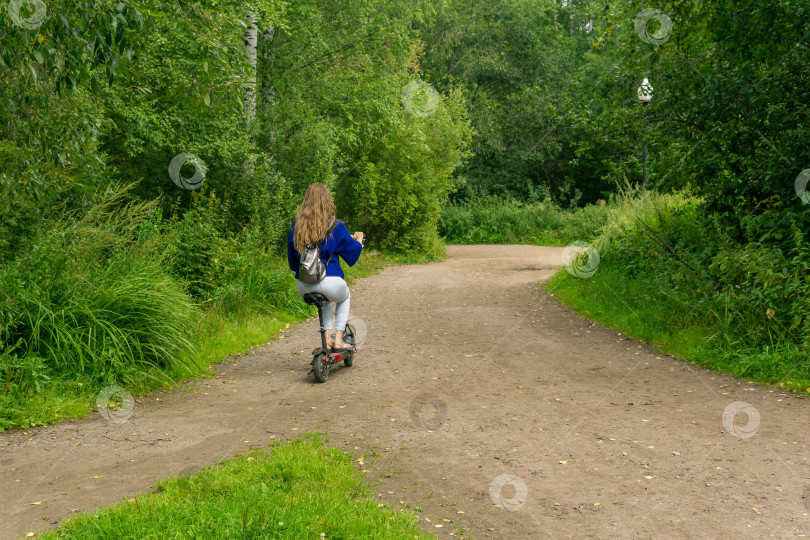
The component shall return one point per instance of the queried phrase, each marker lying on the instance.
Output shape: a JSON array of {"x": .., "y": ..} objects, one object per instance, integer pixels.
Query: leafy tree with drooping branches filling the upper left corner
[{"x": 51, "y": 59}]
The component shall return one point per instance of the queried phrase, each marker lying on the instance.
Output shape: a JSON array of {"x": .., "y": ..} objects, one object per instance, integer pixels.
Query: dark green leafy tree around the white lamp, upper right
[{"x": 729, "y": 114}]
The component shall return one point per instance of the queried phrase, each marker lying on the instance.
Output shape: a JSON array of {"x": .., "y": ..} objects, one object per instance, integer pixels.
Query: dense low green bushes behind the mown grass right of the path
[{"x": 757, "y": 292}]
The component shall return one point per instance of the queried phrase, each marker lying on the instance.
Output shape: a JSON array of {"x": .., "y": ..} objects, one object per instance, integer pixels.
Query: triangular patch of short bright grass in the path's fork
[{"x": 293, "y": 490}]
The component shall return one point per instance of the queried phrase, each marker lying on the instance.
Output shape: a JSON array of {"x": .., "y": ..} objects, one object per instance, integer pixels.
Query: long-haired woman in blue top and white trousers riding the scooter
[{"x": 312, "y": 221}]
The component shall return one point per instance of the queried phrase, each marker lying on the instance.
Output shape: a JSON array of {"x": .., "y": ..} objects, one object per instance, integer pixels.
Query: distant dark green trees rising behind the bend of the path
[{"x": 515, "y": 61}]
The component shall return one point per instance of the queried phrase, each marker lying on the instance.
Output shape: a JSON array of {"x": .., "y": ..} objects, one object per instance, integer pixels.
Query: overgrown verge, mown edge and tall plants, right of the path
[{"x": 683, "y": 282}]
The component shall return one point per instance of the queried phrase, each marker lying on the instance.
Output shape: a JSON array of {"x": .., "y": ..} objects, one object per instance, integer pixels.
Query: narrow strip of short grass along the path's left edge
[{"x": 220, "y": 331}]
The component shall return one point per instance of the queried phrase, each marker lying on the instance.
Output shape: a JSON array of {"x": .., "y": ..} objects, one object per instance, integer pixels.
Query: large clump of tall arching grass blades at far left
[{"x": 90, "y": 303}]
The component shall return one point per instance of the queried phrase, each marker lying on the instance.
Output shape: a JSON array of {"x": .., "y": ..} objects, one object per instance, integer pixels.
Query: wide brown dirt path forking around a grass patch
[{"x": 600, "y": 436}]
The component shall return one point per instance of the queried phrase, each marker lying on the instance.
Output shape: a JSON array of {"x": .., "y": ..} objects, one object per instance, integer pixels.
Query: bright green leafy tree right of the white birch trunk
[{"x": 333, "y": 110}]
